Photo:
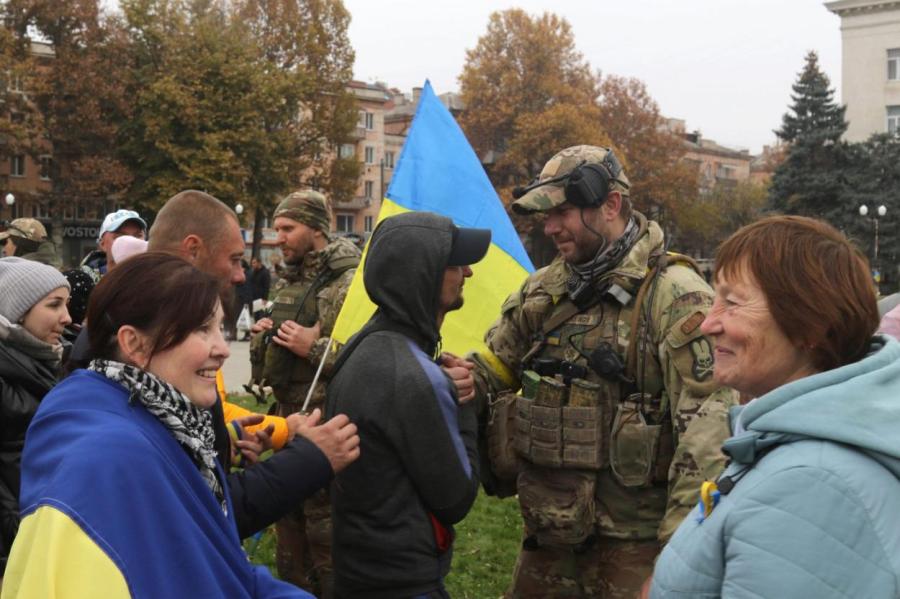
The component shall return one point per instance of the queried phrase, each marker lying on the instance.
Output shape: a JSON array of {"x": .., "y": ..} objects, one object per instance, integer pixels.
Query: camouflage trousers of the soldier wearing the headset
[{"x": 610, "y": 568}]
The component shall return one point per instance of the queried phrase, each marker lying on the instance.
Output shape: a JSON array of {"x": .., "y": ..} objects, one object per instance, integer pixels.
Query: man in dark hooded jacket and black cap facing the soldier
[{"x": 394, "y": 508}]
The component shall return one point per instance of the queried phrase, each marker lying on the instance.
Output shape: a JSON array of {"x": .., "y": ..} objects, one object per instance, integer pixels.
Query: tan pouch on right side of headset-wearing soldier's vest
[{"x": 634, "y": 450}]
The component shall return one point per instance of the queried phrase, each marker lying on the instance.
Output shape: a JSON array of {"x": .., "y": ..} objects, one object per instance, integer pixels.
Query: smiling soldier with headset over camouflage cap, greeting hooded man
[{"x": 619, "y": 420}]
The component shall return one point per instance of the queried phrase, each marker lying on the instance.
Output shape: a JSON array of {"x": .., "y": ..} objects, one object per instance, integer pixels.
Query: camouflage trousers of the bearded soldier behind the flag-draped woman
[{"x": 303, "y": 546}]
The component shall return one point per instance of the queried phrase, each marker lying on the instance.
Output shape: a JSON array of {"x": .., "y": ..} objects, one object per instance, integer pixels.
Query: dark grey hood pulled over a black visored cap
[{"x": 405, "y": 265}]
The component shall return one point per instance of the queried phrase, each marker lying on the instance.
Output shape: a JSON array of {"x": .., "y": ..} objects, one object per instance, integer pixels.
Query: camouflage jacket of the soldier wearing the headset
[{"x": 674, "y": 365}]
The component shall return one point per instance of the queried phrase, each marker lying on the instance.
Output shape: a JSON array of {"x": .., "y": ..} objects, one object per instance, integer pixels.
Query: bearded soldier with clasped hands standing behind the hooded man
[{"x": 319, "y": 269}]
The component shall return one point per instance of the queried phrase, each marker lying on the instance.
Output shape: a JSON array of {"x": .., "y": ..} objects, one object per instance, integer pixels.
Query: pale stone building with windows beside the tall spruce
[{"x": 870, "y": 65}]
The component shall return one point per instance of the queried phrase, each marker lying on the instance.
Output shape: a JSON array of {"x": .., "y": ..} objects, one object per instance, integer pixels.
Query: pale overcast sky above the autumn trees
[{"x": 724, "y": 66}]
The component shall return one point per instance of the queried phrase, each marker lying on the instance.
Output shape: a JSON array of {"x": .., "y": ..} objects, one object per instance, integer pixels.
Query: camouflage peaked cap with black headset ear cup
[{"x": 582, "y": 175}]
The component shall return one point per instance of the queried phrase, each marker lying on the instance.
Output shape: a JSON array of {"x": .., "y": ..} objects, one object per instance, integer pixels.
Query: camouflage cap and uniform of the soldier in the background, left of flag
[{"x": 311, "y": 292}]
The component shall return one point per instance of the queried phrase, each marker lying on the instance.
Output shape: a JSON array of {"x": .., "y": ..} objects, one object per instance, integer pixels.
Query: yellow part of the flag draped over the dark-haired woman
[{"x": 53, "y": 558}]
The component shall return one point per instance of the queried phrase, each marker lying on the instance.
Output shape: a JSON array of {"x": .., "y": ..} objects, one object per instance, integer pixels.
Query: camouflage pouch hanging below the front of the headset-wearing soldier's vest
[{"x": 557, "y": 505}]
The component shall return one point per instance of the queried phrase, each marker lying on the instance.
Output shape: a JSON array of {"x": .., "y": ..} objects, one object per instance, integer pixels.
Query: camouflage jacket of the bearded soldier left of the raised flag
[{"x": 328, "y": 301}]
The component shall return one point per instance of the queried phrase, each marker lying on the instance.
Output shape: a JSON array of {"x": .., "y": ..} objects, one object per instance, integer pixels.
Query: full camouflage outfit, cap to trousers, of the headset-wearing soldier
[{"x": 607, "y": 474}]
